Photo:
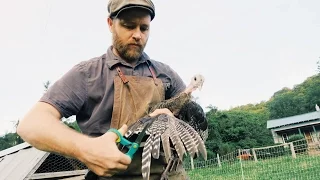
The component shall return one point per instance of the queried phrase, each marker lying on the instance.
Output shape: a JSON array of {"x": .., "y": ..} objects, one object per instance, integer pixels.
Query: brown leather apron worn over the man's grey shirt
[{"x": 132, "y": 97}]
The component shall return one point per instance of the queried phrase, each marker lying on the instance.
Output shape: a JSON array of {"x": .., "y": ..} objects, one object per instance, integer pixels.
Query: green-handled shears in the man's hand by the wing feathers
[{"x": 132, "y": 146}]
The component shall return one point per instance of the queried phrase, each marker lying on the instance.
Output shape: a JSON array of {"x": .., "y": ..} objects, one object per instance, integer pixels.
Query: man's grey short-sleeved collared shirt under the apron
[{"x": 87, "y": 90}]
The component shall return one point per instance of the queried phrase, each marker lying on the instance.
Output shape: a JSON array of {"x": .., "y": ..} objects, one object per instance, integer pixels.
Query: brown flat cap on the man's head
[{"x": 117, "y": 6}]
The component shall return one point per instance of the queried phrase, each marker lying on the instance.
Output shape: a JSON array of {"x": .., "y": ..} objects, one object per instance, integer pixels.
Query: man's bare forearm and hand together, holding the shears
[{"x": 41, "y": 127}]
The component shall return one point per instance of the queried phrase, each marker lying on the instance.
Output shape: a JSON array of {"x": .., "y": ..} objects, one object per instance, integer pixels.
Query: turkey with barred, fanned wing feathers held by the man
[{"x": 174, "y": 137}]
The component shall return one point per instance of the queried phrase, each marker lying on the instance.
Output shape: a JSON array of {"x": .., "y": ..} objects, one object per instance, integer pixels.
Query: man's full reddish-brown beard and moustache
[{"x": 127, "y": 53}]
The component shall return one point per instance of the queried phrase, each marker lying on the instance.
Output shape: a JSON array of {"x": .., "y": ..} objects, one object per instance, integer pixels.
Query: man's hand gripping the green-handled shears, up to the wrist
[{"x": 102, "y": 156}]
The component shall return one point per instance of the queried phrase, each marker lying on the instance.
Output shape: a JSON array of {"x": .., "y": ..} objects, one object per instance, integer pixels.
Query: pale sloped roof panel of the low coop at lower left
[{"x": 19, "y": 161}]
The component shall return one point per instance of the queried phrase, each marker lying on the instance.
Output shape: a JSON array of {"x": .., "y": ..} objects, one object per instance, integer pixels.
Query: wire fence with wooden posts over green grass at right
[{"x": 295, "y": 160}]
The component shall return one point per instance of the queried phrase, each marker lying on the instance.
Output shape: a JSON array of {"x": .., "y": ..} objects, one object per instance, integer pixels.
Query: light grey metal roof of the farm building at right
[{"x": 293, "y": 119}]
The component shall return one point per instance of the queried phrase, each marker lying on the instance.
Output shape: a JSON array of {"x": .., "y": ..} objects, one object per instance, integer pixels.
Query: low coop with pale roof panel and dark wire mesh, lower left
[{"x": 26, "y": 162}]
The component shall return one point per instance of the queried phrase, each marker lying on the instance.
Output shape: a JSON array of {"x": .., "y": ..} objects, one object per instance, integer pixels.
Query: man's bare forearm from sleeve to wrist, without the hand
[{"x": 46, "y": 132}]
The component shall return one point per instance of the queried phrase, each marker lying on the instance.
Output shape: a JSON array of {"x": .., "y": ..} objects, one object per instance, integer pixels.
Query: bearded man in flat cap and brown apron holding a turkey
[{"x": 109, "y": 91}]
